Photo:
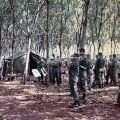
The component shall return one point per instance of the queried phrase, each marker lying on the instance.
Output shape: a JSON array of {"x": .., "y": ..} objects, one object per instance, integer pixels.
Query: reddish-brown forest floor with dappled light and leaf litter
[{"x": 38, "y": 102}]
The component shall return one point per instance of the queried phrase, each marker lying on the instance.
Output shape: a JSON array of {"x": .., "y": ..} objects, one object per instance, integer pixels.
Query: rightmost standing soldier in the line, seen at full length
[{"x": 113, "y": 69}]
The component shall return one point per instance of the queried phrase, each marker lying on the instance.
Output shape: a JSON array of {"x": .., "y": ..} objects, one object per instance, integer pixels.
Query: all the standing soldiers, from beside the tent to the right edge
[{"x": 84, "y": 73}]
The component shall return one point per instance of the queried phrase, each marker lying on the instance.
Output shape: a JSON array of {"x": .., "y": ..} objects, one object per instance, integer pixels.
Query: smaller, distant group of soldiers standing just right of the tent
[{"x": 53, "y": 68}]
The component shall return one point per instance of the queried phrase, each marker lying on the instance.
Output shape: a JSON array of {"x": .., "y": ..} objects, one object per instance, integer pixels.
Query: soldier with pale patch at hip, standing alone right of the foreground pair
[{"x": 99, "y": 70}]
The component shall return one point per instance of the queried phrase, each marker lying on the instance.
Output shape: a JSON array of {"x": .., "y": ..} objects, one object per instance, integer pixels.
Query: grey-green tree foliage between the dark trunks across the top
[{"x": 103, "y": 21}]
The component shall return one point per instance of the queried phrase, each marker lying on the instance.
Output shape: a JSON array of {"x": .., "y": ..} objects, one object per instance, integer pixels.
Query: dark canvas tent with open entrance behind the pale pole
[{"x": 19, "y": 63}]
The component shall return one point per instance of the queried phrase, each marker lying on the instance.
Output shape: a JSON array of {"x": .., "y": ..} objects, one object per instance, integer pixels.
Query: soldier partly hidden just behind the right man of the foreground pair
[{"x": 89, "y": 71}]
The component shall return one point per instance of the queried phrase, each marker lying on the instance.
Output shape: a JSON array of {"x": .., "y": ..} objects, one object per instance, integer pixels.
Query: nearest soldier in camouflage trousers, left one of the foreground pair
[{"x": 73, "y": 80}]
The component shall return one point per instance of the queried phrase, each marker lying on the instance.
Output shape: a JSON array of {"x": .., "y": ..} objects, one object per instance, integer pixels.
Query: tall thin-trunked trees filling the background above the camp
[{"x": 48, "y": 25}]
